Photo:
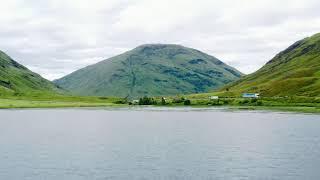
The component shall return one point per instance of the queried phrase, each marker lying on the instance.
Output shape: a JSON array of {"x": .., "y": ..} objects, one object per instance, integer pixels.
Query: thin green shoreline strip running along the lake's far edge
[{"x": 34, "y": 104}]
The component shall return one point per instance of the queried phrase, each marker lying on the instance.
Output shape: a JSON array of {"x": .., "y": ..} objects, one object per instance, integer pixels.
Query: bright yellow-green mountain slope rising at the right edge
[{"x": 293, "y": 72}]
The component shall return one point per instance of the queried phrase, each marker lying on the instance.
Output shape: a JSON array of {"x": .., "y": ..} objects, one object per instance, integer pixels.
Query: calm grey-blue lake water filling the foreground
[{"x": 152, "y": 143}]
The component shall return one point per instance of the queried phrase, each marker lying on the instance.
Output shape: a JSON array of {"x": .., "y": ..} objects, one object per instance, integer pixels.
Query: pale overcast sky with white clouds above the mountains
[{"x": 56, "y": 37}]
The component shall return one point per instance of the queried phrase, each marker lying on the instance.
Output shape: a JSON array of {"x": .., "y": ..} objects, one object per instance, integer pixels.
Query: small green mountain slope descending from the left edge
[{"x": 15, "y": 78}]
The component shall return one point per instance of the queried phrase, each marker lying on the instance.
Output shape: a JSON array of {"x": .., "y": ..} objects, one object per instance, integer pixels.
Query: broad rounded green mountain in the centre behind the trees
[{"x": 152, "y": 70}]
